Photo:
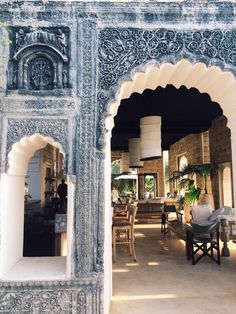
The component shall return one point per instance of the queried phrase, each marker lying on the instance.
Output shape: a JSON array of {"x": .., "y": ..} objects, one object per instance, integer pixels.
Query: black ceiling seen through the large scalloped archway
[{"x": 183, "y": 111}]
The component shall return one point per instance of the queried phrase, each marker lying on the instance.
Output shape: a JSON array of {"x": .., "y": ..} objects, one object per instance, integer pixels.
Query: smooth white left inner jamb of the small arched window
[{"x": 11, "y": 221}]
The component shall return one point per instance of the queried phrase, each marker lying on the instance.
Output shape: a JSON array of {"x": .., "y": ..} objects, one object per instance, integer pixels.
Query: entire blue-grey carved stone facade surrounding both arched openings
[{"x": 82, "y": 51}]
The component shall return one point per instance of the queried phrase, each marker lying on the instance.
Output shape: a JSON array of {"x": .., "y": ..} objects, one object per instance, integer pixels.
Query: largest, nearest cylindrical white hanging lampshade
[{"x": 150, "y": 137}]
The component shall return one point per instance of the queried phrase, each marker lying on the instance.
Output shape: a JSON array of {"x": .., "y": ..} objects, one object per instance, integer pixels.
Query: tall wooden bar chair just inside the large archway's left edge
[{"x": 123, "y": 231}]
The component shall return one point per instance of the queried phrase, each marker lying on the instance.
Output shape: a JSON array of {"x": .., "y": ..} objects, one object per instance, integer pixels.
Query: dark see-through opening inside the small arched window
[{"x": 44, "y": 181}]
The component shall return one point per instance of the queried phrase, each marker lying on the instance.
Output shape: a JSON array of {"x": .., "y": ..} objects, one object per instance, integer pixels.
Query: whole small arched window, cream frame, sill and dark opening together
[{"x": 35, "y": 222}]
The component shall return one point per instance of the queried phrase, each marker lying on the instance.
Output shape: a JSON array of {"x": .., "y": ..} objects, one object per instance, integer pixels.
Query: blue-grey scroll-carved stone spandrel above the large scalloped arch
[{"x": 121, "y": 50}]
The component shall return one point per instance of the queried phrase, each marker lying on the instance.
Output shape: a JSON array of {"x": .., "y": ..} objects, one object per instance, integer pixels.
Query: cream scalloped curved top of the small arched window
[{"x": 23, "y": 150}]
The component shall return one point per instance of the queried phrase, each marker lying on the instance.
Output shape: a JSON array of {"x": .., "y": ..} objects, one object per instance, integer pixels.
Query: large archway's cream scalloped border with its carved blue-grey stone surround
[{"x": 194, "y": 59}]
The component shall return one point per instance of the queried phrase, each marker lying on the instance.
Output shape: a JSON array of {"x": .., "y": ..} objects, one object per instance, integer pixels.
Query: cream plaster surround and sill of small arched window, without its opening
[{"x": 13, "y": 265}]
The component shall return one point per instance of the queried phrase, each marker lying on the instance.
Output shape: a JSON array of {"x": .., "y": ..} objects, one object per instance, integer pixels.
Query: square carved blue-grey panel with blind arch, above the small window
[{"x": 39, "y": 59}]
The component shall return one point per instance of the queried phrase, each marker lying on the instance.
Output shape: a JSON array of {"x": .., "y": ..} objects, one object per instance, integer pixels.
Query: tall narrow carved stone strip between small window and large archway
[{"x": 86, "y": 136}]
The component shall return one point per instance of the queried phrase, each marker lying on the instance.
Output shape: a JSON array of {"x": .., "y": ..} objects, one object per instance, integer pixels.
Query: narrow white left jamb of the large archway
[{"x": 107, "y": 225}]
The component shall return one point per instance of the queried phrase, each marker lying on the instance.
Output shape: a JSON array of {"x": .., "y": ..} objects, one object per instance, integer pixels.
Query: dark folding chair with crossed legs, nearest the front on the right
[{"x": 203, "y": 241}]
